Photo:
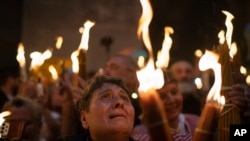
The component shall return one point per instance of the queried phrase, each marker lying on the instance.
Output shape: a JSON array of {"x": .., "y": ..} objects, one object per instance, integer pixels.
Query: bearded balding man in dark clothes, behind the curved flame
[{"x": 193, "y": 100}]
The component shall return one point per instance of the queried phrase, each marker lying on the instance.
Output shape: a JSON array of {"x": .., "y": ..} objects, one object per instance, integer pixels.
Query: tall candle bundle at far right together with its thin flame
[{"x": 230, "y": 113}]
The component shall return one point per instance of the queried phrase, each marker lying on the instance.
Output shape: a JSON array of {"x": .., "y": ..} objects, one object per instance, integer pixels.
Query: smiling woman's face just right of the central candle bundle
[{"x": 172, "y": 100}]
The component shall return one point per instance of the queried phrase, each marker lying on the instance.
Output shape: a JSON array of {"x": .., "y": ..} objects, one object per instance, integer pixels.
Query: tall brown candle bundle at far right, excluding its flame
[{"x": 230, "y": 113}]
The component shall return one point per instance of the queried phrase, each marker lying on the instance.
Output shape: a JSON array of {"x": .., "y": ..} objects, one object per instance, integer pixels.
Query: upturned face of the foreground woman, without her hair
[{"x": 110, "y": 111}]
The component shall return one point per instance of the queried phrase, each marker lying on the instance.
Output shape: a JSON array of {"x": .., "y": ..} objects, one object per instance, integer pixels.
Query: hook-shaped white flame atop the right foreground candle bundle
[{"x": 210, "y": 61}]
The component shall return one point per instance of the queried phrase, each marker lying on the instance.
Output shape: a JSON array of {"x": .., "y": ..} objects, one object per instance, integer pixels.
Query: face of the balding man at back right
[{"x": 182, "y": 71}]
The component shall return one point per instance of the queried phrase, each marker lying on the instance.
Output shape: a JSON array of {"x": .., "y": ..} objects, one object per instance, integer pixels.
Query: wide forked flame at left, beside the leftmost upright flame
[{"x": 39, "y": 58}]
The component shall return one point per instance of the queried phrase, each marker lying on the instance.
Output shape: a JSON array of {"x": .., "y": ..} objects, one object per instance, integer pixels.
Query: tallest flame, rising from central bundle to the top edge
[{"x": 149, "y": 77}]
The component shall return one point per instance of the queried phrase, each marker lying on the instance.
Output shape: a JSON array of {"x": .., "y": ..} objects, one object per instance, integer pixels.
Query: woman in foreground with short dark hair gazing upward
[{"x": 106, "y": 111}]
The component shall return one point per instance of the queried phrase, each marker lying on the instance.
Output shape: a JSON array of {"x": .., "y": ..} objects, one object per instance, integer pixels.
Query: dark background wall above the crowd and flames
[{"x": 196, "y": 24}]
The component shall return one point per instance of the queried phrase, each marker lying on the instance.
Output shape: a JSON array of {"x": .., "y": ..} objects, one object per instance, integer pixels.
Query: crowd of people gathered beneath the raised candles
[{"x": 102, "y": 108}]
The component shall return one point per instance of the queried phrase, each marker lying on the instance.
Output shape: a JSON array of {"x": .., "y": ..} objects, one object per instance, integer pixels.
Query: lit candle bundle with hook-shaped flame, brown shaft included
[{"x": 208, "y": 120}]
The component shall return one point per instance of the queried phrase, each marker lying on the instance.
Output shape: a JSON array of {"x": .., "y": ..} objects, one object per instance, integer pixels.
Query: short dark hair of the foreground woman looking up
[{"x": 95, "y": 83}]
